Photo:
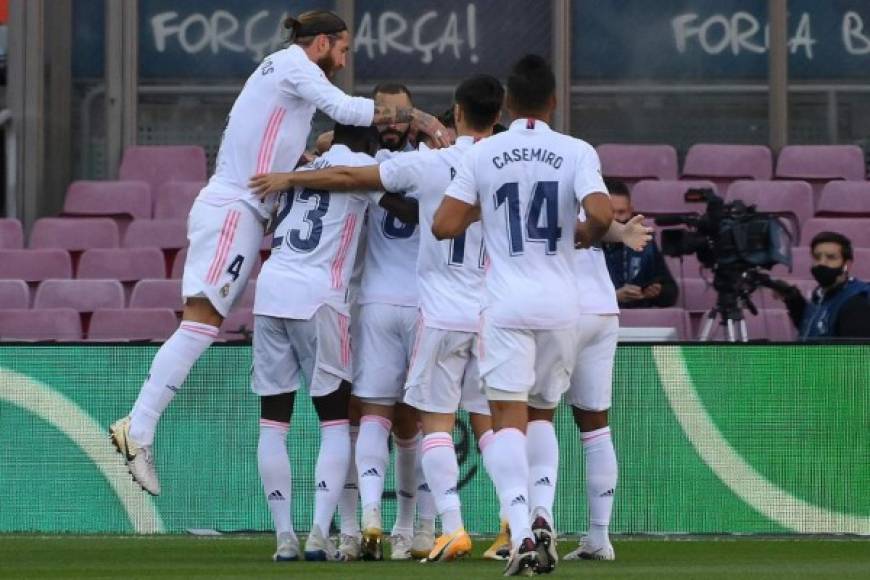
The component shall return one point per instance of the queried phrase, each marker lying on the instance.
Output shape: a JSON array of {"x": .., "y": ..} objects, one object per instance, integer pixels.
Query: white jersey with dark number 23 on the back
[{"x": 314, "y": 245}]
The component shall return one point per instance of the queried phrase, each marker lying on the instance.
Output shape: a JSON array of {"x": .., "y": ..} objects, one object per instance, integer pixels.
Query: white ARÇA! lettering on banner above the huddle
[{"x": 393, "y": 32}]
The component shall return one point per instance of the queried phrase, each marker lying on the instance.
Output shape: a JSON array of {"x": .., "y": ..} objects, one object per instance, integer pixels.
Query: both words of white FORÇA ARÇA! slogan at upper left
[{"x": 427, "y": 35}]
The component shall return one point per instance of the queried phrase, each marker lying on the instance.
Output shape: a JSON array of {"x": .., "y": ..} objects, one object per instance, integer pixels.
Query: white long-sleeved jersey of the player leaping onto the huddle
[{"x": 269, "y": 123}]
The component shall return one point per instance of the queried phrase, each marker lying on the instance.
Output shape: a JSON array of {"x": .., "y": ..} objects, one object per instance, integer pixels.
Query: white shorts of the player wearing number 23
[{"x": 288, "y": 351}]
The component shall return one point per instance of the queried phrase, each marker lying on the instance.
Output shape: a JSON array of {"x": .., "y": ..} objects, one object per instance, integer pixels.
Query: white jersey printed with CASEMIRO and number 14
[{"x": 528, "y": 182}]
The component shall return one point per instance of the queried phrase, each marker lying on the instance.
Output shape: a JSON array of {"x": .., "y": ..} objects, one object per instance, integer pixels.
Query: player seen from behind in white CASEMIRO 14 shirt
[{"x": 526, "y": 184}]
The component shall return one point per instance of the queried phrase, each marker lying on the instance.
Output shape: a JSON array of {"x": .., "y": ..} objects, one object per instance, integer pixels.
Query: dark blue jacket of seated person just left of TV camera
[{"x": 643, "y": 268}]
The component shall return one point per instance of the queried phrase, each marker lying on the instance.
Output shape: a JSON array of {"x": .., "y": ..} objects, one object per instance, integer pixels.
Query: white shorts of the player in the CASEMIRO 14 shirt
[{"x": 518, "y": 364}]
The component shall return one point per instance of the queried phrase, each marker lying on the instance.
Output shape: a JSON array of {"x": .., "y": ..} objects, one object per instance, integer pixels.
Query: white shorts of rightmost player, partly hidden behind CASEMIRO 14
[{"x": 592, "y": 381}]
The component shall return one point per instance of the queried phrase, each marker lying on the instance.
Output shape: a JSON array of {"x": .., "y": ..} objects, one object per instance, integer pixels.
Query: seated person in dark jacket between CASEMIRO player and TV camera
[{"x": 642, "y": 279}]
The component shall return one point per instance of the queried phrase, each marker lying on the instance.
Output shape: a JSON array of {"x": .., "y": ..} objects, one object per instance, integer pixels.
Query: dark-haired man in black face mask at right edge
[{"x": 840, "y": 306}]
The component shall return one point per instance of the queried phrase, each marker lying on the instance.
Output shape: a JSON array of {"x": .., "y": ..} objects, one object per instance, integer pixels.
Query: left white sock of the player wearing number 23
[{"x": 274, "y": 465}]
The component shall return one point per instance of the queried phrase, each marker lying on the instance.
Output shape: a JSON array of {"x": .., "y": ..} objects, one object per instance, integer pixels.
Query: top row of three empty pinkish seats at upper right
[{"x": 726, "y": 163}]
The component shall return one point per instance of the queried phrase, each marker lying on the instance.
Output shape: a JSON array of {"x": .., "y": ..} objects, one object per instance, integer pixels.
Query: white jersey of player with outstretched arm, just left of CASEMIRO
[{"x": 449, "y": 272}]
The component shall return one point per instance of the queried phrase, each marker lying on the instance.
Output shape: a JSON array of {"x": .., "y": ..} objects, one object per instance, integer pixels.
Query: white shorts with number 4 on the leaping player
[{"x": 224, "y": 248}]
